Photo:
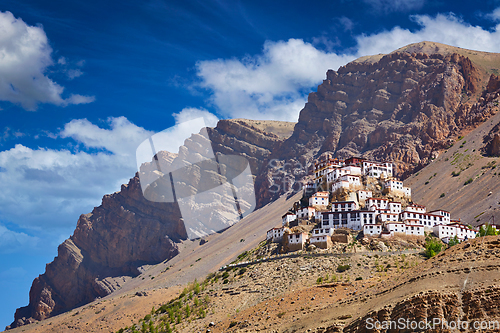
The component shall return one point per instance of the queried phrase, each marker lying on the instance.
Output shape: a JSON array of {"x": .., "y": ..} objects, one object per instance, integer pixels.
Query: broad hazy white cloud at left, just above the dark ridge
[{"x": 47, "y": 189}]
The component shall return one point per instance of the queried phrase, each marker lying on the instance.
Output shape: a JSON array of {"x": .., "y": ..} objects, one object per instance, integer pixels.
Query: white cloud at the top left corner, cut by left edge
[{"x": 25, "y": 55}]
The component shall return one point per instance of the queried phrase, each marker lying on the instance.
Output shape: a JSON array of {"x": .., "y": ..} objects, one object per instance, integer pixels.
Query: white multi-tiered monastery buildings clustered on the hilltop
[{"x": 360, "y": 195}]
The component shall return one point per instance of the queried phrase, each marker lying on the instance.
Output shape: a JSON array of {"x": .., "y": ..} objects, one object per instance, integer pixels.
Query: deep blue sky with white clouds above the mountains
[{"x": 82, "y": 83}]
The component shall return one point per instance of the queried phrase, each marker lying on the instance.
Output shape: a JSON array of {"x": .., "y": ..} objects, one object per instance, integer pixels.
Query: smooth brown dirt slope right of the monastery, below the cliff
[{"x": 472, "y": 203}]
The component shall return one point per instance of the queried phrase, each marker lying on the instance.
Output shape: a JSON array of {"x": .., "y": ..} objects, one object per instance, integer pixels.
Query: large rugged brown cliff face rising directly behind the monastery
[{"x": 404, "y": 107}]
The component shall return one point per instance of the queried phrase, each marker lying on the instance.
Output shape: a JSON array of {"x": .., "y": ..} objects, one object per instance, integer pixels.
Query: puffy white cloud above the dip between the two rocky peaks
[{"x": 251, "y": 87}]
